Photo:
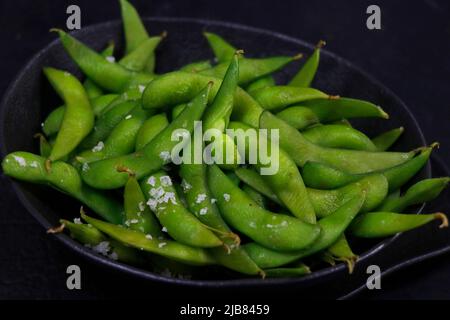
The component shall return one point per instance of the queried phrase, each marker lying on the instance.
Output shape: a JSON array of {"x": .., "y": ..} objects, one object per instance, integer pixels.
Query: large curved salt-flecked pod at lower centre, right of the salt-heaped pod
[{"x": 276, "y": 231}]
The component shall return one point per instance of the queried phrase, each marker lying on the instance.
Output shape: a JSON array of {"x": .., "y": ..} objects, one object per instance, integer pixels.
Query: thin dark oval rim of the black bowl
[{"x": 146, "y": 274}]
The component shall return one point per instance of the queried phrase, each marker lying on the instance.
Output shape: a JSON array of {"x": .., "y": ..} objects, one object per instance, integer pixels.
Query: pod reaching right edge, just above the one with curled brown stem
[{"x": 421, "y": 192}]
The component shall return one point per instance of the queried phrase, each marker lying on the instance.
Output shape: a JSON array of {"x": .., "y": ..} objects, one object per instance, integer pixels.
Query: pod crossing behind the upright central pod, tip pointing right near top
[{"x": 252, "y": 69}]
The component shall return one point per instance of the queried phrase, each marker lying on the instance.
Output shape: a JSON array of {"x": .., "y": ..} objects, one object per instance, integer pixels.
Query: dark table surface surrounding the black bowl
[{"x": 409, "y": 55}]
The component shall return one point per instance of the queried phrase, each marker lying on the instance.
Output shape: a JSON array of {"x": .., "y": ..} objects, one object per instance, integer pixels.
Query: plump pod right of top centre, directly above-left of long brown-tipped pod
[{"x": 279, "y": 97}]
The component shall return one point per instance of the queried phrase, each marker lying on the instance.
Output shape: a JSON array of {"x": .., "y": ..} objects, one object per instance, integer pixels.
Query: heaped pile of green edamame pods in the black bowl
[{"x": 109, "y": 147}]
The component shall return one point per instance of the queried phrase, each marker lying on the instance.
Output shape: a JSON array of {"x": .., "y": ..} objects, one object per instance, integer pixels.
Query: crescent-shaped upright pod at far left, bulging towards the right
[{"x": 78, "y": 117}]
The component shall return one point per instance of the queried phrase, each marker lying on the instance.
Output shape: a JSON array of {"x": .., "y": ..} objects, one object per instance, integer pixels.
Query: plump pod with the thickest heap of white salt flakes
[{"x": 180, "y": 224}]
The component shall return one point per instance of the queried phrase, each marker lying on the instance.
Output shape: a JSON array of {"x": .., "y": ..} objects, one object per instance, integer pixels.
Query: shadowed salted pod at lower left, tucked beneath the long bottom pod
[{"x": 93, "y": 238}]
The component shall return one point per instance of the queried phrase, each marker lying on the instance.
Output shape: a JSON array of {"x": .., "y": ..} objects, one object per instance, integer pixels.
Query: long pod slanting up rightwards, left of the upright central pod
[{"x": 103, "y": 174}]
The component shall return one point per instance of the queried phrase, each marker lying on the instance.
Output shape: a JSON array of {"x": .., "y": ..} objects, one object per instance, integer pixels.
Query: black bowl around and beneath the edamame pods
[{"x": 29, "y": 99}]
